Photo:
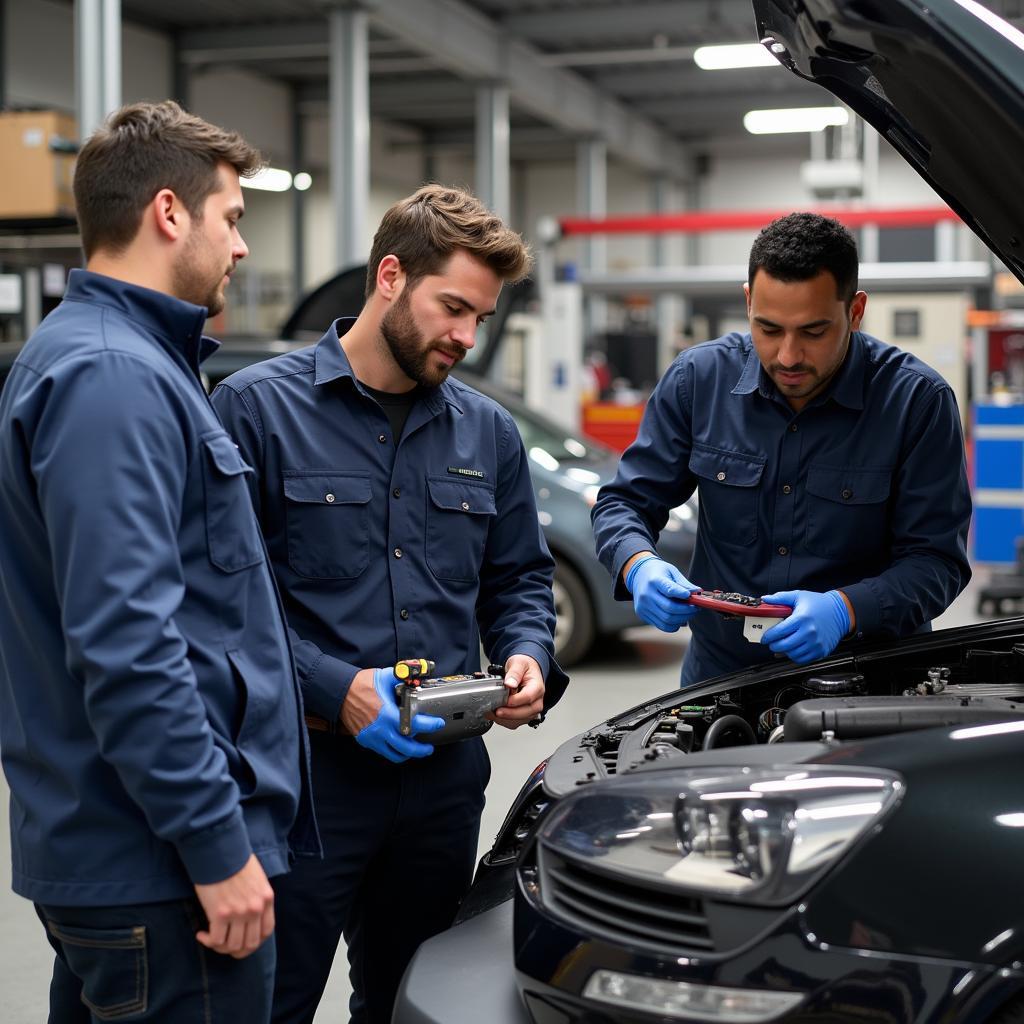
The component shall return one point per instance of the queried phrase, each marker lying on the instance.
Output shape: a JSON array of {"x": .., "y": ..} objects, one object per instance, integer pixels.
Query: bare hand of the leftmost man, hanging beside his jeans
[{"x": 239, "y": 912}]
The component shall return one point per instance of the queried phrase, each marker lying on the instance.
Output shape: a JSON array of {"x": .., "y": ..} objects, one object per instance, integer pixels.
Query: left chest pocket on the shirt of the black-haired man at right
[{"x": 730, "y": 486}]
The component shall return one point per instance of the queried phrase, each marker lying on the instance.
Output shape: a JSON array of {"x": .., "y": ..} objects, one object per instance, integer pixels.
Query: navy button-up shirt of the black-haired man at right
[{"x": 865, "y": 490}]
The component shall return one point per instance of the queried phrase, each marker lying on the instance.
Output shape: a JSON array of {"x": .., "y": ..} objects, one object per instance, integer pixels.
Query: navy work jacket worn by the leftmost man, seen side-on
[{"x": 150, "y": 714}]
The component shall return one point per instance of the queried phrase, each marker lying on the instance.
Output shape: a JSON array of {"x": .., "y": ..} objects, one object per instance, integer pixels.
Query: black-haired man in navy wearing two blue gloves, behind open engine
[{"x": 830, "y": 468}]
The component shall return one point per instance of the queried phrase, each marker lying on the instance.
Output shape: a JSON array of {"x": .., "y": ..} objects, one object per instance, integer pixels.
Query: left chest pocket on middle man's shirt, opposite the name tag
[{"x": 328, "y": 524}]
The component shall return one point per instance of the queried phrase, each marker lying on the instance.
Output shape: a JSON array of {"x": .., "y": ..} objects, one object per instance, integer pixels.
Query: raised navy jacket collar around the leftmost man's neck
[{"x": 178, "y": 324}]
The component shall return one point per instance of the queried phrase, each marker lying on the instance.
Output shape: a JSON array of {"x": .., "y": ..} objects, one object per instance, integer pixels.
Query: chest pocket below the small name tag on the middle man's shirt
[{"x": 459, "y": 518}]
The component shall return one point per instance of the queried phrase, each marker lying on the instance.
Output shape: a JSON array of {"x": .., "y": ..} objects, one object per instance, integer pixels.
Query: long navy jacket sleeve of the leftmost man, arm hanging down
[{"x": 110, "y": 461}]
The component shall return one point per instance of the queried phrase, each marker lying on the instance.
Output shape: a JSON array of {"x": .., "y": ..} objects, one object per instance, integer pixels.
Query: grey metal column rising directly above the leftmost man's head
[{"x": 98, "y": 62}]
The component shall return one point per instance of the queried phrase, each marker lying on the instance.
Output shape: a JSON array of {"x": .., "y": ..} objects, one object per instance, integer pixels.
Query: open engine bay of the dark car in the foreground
[{"x": 918, "y": 684}]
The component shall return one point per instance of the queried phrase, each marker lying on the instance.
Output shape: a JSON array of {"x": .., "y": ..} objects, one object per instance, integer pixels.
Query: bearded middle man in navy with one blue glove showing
[{"x": 401, "y": 522}]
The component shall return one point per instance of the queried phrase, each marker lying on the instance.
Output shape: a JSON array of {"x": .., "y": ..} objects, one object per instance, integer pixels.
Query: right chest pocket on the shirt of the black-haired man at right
[{"x": 847, "y": 510}]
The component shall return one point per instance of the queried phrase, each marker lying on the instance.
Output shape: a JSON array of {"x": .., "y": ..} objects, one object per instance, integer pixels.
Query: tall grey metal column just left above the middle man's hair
[{"x": 350, "y": 132}]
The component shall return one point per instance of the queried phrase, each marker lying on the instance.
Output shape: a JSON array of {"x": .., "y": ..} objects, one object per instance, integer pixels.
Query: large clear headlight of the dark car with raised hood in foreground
[{"x": 763, "y": 835}]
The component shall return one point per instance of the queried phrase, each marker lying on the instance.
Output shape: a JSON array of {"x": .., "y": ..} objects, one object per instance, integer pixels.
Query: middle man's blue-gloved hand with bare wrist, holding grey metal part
[{"x": 371, "y": 714}]
